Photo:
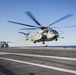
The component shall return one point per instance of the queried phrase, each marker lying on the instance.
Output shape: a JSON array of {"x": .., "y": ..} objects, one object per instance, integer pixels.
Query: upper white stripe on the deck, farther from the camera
[{"x": 43, "y": 56}]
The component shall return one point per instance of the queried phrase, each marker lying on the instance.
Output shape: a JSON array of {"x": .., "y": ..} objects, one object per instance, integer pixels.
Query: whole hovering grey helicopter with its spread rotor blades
[{"x": 45, "y": 34}]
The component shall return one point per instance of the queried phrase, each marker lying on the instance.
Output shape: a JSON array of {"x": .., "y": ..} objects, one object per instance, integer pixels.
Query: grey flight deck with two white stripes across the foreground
[{"x": 18, "y": 61}]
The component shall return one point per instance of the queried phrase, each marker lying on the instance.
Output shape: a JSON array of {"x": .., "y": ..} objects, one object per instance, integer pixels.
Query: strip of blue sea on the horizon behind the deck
[{"x": 49, "y": 47}]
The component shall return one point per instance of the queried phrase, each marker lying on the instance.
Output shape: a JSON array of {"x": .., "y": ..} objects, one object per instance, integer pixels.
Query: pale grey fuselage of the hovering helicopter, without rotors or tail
[{"x": 45, "y": 35}]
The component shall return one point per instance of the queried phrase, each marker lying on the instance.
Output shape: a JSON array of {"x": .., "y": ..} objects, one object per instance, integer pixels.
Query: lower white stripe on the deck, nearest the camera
[{"x": 40, "y": 65}]
